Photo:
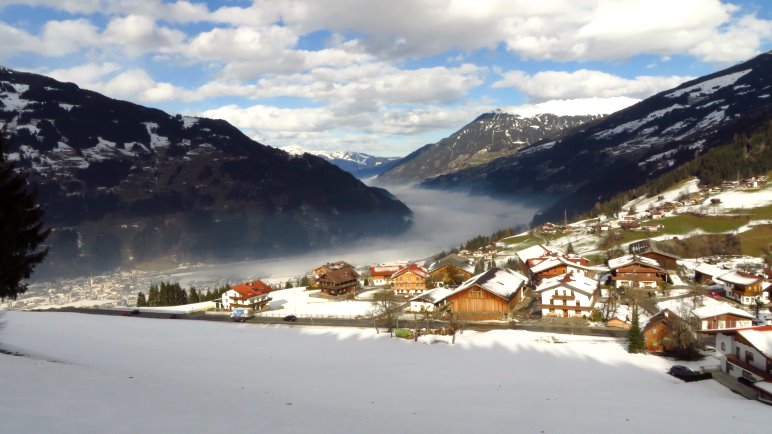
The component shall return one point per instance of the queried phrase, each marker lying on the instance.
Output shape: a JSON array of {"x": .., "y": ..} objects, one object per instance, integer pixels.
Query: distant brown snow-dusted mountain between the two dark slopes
[{"x": 490, "y": 136}]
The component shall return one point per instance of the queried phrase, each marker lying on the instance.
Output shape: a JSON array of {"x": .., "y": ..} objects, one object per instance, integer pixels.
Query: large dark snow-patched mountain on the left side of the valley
[{"x": 126, "y": 184}]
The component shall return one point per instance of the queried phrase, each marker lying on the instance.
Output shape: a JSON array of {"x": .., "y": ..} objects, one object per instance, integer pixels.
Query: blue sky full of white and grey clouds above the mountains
[{"x": 378, "y": 76}]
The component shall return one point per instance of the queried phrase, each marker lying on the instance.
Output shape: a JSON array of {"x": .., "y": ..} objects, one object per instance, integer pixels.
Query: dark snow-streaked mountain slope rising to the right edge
[{"x": 631, "y": 147}]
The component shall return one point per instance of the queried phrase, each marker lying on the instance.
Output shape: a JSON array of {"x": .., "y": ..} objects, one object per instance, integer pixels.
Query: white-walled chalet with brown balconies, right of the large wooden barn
[{"x": 569, "y": 295}]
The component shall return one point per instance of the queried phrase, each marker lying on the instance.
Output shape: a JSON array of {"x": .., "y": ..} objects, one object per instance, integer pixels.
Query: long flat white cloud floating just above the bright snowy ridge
[{"x": 547, "y": 85}]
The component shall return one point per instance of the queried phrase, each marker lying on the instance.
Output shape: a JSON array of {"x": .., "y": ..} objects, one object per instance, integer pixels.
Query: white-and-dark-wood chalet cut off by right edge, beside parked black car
[{"x": 747, "y": 353}]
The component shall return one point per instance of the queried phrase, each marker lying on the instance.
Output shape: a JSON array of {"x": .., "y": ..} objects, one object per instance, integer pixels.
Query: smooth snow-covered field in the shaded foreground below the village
[{"x": 88, "y": 373}]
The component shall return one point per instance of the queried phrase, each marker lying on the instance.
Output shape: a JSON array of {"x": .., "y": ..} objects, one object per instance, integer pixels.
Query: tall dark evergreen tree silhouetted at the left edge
[{"x": 21, "y": 230}]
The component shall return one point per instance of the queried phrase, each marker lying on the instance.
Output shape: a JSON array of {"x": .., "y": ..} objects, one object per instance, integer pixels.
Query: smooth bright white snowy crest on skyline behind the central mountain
[{"x": 571, "y": 107}]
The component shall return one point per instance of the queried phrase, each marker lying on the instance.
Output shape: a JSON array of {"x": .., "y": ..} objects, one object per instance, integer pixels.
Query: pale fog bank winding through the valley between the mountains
[{"x": 442, "y": 220}]
